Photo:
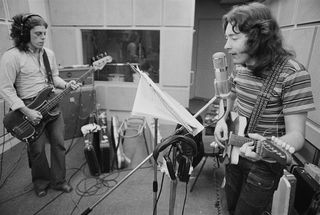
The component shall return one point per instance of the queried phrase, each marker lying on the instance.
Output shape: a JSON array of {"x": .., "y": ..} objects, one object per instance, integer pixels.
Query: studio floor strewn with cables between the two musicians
[{"x": 134, "y": 196}]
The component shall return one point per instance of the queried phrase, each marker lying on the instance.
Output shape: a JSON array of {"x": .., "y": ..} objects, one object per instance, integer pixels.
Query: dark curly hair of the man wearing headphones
[{"x": 21, "y": 26}]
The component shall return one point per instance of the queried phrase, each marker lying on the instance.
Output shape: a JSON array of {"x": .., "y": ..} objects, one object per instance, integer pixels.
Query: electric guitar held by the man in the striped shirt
[{"x": 270, "y": 150}]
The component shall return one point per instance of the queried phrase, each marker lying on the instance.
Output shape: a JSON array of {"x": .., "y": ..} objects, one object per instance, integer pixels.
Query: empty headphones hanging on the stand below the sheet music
[{"x": 187, "y": 149}]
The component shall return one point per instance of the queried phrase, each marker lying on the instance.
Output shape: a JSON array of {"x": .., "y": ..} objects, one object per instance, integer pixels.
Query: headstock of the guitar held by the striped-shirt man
[{"x": 275, "y": 149}]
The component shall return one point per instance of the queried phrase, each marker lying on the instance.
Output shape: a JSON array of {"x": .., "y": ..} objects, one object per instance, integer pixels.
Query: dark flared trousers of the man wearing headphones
[{"x": 42, "y": 174}]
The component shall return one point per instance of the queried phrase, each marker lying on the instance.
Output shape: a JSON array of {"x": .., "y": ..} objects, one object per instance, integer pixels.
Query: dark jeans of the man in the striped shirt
[{"x": 250, "y": 186}]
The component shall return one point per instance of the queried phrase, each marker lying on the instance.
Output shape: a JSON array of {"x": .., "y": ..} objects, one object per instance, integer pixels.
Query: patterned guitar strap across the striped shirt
[{"x": 265, "y": 93}]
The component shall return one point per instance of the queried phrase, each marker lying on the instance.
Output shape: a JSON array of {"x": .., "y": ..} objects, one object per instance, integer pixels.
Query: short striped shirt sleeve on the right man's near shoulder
[{"x": 297, "y": 93}]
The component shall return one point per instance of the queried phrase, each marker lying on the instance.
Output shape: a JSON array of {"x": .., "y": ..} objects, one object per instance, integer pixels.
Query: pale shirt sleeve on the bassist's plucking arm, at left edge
[{"x": 9, "y": 68}]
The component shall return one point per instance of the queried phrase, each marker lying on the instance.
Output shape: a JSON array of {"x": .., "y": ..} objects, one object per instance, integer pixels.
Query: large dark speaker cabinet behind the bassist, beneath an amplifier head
[{"x": 76, "y": 108}]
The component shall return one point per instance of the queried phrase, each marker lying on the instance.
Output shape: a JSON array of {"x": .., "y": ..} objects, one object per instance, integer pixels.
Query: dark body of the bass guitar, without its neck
[{"x": 20, "y": 127}]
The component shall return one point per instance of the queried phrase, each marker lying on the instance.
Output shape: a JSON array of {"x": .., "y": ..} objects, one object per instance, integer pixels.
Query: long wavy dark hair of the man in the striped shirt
[{"x": 264, "y": 42}]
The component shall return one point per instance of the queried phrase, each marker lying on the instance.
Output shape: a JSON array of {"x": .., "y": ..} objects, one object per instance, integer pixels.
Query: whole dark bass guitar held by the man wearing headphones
[{"x": 45, "y": 102}]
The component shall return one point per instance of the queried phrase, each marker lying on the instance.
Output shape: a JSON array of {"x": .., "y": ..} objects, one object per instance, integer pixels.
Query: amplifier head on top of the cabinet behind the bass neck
[{"x": 69, "y": 74}]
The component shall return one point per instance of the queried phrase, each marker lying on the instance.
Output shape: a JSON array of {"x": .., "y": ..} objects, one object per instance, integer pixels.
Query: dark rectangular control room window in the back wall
[{"x": 124, "y": 46}]
